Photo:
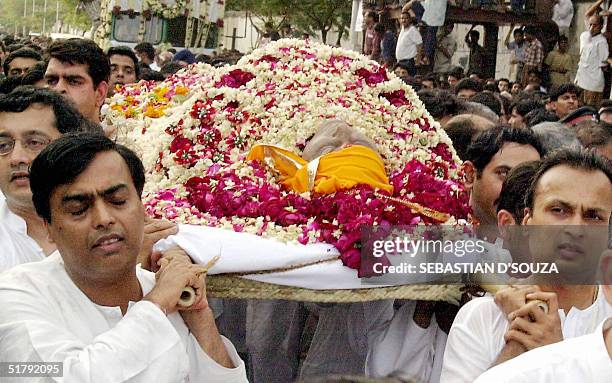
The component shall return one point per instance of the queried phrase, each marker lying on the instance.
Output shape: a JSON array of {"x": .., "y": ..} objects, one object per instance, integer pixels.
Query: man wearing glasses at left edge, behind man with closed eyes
[{"x": 30, "y": 118}]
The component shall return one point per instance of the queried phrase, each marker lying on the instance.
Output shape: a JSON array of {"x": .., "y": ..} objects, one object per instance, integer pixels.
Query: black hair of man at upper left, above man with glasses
[{"x": 82, "y": 51}]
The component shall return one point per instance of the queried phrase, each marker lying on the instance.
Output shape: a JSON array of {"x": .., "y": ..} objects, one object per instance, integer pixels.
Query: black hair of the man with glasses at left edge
[{"x": 67, "y": 118}]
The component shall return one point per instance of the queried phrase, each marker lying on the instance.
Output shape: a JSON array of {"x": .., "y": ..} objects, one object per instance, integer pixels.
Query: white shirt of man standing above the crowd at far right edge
[{"x": 593, "y": 54}]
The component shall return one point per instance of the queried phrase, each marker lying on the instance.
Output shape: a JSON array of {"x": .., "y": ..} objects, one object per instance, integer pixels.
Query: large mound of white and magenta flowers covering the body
[{"x": 194, "y": 147}]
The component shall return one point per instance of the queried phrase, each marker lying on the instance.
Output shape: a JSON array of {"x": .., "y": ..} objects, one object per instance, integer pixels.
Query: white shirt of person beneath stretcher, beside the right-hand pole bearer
[{"x": 398, "y": 344}]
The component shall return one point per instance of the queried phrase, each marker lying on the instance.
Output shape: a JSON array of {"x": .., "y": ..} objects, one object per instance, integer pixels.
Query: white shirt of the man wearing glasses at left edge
[{"x": 17, "y": 246}]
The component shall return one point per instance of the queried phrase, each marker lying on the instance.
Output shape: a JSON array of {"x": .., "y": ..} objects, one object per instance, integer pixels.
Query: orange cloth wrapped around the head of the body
[{"x": 340, "y": 170}]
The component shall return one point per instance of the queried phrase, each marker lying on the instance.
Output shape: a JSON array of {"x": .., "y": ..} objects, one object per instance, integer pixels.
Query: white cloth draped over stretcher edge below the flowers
[{"x": 249, "y": 253}]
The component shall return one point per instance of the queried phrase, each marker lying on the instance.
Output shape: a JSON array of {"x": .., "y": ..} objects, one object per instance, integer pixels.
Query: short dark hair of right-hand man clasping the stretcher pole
[{"x": 586, "y": 160}]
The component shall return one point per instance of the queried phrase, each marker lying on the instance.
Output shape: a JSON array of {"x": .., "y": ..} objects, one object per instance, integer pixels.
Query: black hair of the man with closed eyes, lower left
[{"x": 64, "y": 159}]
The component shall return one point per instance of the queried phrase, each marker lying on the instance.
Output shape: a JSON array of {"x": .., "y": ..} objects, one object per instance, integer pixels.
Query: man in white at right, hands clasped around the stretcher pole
[{"x": 482, "y": 335}]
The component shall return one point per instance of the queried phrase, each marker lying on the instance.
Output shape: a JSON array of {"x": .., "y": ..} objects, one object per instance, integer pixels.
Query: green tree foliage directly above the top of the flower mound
[{"x": 310, "y": 16}]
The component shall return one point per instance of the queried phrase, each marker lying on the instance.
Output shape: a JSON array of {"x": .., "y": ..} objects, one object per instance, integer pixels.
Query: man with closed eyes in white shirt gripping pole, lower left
[{"x": 90, "y": 307}]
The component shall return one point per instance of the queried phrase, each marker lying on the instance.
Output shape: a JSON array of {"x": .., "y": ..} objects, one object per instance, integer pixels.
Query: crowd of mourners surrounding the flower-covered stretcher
[{"x": 535, "y": 151}]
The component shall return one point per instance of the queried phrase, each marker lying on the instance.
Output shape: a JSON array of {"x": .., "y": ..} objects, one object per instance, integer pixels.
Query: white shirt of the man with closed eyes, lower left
[{"x": 46, "y": 317}]
